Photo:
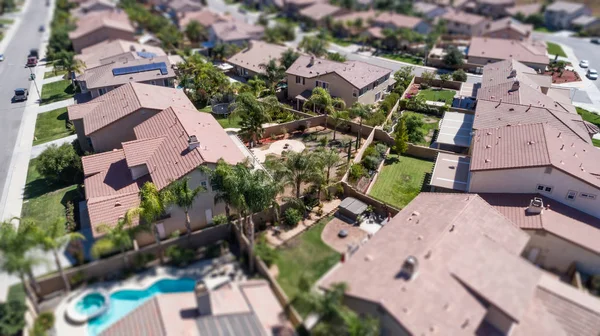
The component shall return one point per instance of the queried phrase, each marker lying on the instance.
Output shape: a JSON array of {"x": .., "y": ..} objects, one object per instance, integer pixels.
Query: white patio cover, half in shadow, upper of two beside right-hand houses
[{"x": 456, "y": 129}]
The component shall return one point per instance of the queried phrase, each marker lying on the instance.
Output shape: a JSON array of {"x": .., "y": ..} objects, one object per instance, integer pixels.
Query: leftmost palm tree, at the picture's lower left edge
[{"x": 14, "y": 245}]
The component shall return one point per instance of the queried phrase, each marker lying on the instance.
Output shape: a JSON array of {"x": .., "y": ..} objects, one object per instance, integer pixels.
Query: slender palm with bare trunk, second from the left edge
[{"x": 51, "y": 238}]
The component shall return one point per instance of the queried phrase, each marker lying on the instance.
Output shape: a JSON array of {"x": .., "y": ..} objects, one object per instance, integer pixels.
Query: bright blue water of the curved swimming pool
[{"x": 124, "y": 301}]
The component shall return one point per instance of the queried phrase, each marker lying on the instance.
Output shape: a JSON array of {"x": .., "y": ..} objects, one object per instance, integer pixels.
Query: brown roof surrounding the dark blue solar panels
[{"x": 103, "y": 76}]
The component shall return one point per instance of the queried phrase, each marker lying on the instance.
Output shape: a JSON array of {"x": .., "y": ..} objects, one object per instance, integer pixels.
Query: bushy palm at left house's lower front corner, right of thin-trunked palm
[{"x": 117, "y": 237}]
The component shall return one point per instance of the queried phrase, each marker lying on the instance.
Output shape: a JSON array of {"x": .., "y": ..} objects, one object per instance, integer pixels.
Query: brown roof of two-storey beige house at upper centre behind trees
[{"x": 359, "y": 74}]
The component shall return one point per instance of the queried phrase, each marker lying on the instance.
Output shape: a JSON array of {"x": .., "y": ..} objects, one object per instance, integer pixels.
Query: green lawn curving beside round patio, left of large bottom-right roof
[{"x": 306, "y": 255}]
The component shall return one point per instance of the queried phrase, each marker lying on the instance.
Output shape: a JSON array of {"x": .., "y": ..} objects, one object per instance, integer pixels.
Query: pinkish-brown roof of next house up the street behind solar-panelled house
[{"x": 116, "y": 19}]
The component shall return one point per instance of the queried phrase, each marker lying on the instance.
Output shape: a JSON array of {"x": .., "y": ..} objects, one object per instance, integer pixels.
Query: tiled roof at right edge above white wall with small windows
[{"x": 535, "y": 145}]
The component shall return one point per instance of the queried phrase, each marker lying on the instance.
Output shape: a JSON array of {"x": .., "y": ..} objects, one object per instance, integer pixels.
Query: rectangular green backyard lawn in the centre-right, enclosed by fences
[{"x": 400, "y": 180}]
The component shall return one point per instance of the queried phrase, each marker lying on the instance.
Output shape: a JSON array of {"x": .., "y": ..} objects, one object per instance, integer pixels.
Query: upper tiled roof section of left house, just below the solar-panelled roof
[{"x": 124, "y": 100}]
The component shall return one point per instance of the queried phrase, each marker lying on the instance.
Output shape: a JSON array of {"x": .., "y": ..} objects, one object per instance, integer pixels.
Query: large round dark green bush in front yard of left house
[{"x": 60, "y": 164}]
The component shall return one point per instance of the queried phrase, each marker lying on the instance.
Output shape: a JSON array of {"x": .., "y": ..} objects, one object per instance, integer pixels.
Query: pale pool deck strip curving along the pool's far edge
[{"x": 199, "y": 270}]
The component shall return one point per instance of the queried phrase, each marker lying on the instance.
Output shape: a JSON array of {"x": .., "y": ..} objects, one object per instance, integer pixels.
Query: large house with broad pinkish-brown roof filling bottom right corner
[{"x": 450, "y": 264}]
